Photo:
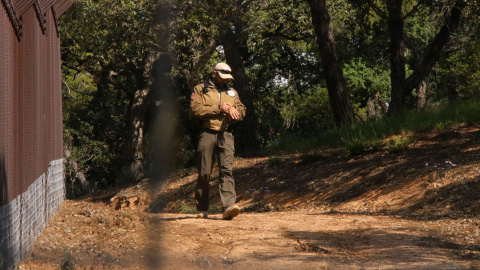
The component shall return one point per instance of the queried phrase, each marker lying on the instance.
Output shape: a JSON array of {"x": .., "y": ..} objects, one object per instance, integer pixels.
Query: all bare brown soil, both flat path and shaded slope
[{"x": 417, "y": 209}]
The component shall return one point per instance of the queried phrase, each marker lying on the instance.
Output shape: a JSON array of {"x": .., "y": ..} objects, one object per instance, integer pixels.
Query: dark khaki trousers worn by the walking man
[{"x": 215, "y": 145}]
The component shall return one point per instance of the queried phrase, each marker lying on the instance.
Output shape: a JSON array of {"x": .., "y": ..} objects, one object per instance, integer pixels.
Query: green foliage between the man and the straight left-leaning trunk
[{"x": 280, "y": 59}]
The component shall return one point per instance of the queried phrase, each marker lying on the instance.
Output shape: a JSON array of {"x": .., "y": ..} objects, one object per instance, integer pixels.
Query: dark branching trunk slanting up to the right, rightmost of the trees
[{"x": 430, "y": 57}]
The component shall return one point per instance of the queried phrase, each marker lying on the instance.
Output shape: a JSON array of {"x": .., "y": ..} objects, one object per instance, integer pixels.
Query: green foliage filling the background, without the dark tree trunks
[{"x": 106, "y": 47}]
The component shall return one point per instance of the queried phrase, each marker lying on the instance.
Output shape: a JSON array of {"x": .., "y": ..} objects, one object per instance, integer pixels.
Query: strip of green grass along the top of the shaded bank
[{"x": 361, "y": 137}]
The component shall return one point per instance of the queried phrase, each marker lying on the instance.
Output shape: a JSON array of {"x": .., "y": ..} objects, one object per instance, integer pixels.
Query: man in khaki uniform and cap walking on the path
[{"x": 218, "y": 106}]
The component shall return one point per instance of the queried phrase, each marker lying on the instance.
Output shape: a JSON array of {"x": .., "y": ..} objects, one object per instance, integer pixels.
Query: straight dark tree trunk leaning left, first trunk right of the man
[{"x": 336, "y": 86}]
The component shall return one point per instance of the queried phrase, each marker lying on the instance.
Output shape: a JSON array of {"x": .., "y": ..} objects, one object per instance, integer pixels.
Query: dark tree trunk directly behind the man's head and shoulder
[{"x": 247, "y": 129}]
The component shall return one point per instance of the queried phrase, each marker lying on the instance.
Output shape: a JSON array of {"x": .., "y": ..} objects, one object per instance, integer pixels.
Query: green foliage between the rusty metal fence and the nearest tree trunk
[{"x": 105, "y": 49}]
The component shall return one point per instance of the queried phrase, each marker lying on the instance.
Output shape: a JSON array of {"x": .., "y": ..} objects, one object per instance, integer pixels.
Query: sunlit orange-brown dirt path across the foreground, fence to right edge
[{"x": 275, "y": 240}]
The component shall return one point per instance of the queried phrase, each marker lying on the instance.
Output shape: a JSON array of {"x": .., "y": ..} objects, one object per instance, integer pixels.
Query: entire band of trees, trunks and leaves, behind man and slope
[{"x": 301, "y": 67}]
